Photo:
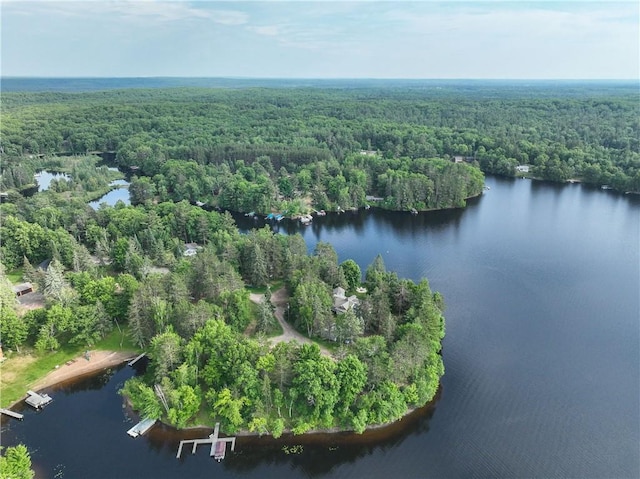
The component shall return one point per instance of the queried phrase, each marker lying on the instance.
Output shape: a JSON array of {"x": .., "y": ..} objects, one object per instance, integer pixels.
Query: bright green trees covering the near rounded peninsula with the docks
[{"x": 209, "y": 345}]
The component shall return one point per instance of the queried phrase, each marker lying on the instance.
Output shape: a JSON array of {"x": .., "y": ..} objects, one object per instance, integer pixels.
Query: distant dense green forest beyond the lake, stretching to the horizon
[{"x": 262, "y": 148}]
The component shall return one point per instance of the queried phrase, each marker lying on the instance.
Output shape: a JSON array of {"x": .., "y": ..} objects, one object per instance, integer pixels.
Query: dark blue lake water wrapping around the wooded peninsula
[{"x": 542, "y": 285}]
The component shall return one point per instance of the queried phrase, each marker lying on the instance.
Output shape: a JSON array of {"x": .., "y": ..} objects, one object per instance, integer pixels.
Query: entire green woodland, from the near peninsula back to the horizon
[{"x": 211, "y": 306}]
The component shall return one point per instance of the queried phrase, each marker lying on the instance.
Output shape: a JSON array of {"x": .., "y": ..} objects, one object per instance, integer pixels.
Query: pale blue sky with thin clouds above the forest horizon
[{"x": 322, "y": 39}]
